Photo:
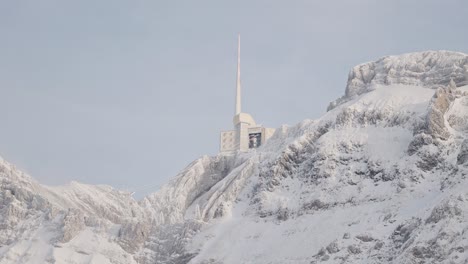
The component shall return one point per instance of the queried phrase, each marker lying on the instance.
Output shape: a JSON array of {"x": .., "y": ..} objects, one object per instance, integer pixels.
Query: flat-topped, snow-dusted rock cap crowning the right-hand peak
[{"x": 431, "y": 69}]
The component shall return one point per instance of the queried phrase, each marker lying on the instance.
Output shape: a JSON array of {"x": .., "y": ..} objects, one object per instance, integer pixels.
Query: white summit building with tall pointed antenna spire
[{"x": 246, "y": 134}]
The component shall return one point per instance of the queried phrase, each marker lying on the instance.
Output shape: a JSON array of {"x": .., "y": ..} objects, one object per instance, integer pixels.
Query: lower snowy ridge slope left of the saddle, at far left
[{"x": 71, "y": 224}]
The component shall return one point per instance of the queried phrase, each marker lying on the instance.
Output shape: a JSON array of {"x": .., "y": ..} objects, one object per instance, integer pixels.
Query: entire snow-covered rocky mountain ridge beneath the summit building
[{"x": 380, "y": 178}]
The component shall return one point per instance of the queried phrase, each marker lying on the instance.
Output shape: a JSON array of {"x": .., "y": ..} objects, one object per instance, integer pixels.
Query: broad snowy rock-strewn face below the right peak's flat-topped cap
[{"x": 350, "y": 191}]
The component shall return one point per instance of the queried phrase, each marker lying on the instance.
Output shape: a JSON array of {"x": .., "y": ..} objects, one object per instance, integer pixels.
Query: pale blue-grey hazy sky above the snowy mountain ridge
[{"x": 127, "y": 93}]
